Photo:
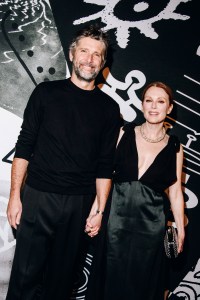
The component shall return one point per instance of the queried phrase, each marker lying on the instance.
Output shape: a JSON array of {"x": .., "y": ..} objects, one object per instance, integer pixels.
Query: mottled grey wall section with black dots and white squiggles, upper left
[{"x": 30, "y": 45}]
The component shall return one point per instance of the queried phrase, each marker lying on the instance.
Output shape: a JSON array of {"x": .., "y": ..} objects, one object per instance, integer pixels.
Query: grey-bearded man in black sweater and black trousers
[{"x": 66, "y": 148}]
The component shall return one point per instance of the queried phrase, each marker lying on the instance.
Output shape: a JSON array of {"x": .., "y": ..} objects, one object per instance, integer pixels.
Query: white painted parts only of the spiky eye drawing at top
[{"x": 122, "y": 27}]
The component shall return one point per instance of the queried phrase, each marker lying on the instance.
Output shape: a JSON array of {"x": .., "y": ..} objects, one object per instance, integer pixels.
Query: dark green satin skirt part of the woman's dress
[{"x": 135, "y": 251}]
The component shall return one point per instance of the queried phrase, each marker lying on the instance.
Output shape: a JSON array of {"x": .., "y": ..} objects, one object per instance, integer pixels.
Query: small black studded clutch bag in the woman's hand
[{"x": 171, "y": 242}]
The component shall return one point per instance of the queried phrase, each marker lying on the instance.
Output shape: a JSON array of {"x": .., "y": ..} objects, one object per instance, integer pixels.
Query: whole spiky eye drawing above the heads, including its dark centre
[{"x": 124, "y": 15}]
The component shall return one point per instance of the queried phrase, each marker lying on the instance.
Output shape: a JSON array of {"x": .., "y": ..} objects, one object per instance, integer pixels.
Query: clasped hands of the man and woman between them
[{"x": 93, "y": 224}]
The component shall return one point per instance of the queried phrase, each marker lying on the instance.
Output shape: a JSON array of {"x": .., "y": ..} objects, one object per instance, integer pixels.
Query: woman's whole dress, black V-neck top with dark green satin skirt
[{"x": 135, "y": 252}]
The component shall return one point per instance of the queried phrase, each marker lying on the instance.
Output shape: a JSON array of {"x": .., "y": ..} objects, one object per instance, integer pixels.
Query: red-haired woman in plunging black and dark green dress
[{"x": 148, "y": 163}]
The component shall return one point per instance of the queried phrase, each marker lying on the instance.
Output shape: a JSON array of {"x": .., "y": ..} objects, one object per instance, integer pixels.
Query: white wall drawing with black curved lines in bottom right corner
[{"x": 189, "y": 288}]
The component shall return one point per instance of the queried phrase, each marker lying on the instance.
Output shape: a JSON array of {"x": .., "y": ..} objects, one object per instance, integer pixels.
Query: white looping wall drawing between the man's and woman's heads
[{"x": 112, "y": 85}]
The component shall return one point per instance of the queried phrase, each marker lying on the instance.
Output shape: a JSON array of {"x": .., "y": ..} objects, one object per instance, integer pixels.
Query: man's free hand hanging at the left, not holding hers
[{"x": 14, "y": 211}]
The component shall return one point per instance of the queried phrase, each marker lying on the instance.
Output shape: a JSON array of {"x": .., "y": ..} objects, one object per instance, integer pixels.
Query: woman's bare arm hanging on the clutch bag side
[{"x": 177, "y": 201}]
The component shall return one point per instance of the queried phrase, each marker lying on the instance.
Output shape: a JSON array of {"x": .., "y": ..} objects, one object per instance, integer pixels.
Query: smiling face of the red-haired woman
[{"x": 155, "y": 105}]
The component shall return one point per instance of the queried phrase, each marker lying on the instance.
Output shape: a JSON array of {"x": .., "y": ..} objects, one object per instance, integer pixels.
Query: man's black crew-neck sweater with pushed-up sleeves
[{"x": 68, "y": 136}]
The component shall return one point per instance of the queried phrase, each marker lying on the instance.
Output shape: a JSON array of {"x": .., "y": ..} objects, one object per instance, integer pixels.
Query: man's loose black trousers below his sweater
[{"x": 47, "y": 245}]
